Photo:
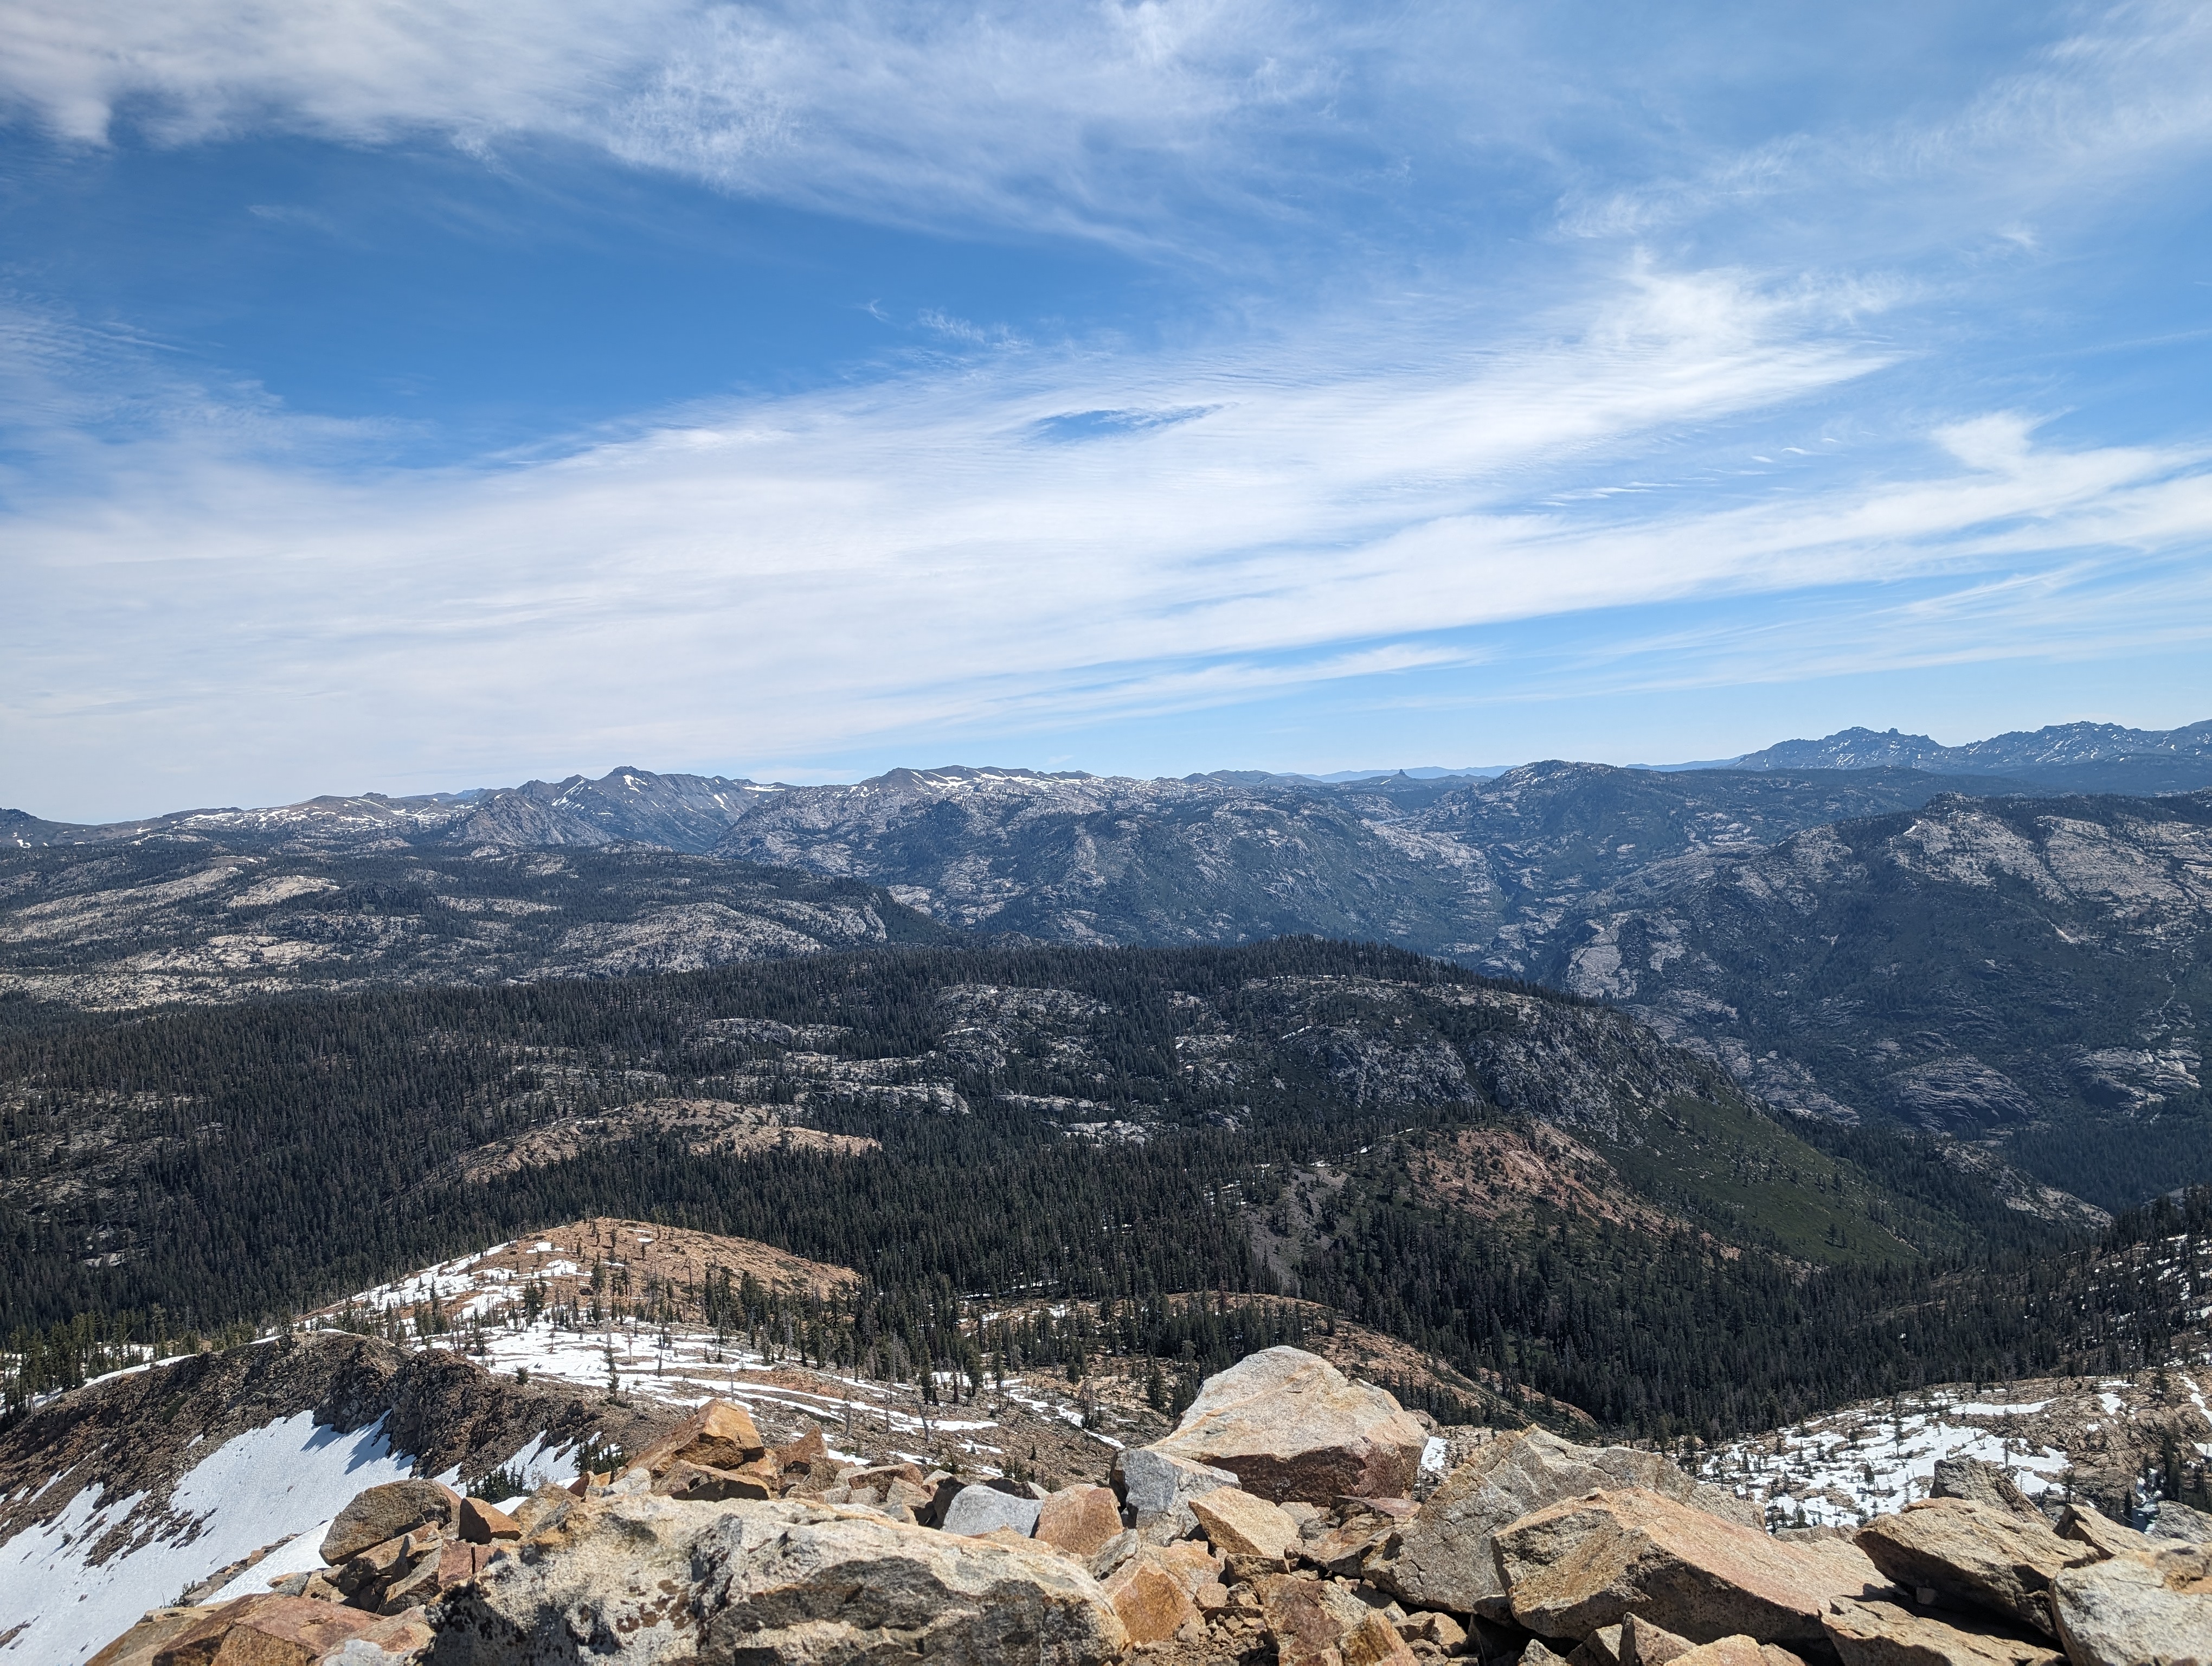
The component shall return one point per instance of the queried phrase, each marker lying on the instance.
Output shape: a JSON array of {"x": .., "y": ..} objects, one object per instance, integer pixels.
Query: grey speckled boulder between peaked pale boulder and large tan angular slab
[{"x": 1443, "y": 1556}]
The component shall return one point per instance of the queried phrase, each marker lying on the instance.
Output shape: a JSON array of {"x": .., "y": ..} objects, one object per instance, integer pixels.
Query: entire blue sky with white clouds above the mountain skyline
[{"x": 432, "y": 395}]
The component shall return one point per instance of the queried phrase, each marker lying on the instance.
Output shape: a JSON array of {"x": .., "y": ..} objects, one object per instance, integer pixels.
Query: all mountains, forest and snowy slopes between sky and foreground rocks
[{"x": 1680, "y": 1103}]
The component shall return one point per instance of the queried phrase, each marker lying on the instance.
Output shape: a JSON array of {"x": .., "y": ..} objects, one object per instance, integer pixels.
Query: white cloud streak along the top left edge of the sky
[{"x": 1098, "y": 121}]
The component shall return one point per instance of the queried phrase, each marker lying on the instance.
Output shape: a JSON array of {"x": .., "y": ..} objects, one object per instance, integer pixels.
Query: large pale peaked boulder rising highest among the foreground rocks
[{"x": 1288, "y": 1426}]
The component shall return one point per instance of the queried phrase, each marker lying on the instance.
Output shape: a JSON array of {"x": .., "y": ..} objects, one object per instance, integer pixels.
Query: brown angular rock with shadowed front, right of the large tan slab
[{"x": 1976, "y": 1556}]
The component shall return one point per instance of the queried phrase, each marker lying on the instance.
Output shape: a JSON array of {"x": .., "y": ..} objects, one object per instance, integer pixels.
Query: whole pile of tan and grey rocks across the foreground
[{"x": 1275, "y": 1523}]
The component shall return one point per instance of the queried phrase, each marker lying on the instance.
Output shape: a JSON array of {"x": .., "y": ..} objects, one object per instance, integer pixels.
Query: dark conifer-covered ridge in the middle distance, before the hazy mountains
[{"x": 1523, "y": 1183}]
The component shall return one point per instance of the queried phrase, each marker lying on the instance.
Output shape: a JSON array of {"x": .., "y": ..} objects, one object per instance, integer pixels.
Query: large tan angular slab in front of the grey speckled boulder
[{"x": 1594, "y": 1561}]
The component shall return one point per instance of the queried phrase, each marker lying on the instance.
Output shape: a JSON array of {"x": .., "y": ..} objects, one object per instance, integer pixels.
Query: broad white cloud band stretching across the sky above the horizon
[{"x": 780, "y": 579}]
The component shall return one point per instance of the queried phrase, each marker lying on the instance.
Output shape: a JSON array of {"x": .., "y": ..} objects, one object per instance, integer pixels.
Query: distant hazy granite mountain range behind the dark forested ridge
[{"x": 1864, "y": 941}]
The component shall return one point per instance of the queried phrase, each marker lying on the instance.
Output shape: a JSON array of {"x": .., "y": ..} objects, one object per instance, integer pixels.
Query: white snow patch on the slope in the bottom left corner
[{"x": 67, "y": 1587}]
